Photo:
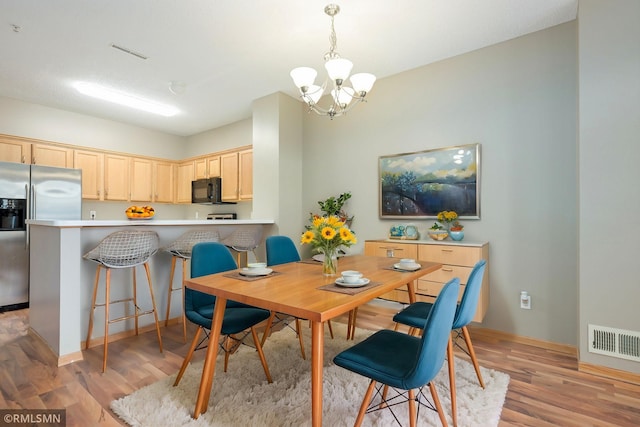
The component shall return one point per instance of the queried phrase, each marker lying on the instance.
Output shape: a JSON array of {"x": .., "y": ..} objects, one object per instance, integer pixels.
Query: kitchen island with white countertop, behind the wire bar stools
[{"x": 61, "y": 281}]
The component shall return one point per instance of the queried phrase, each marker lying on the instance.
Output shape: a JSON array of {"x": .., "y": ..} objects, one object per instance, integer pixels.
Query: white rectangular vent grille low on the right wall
[{"x": 614, "y": 342}]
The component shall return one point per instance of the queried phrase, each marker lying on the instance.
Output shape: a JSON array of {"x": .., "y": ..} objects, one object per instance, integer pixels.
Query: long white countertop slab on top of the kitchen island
[{"x": 144, "y": 222}]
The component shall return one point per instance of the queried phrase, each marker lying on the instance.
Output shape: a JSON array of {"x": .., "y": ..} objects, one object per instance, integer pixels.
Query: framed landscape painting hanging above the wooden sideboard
[{"x": 421, "y": 184}]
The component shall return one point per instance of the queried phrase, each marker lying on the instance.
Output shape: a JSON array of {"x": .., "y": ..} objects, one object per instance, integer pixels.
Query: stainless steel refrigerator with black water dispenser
[{"x": 30, "y": 192}]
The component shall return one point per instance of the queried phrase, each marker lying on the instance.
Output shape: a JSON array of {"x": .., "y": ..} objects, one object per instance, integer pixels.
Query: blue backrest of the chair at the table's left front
[{"x": 207, "y": 258}]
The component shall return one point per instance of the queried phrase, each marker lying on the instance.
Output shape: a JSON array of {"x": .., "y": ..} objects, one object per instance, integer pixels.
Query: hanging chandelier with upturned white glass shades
[{"x": 344, "y": 97}]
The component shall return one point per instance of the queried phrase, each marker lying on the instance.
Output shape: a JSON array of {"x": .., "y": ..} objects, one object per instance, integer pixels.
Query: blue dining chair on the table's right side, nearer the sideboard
[{"x": 415, "y": 314}]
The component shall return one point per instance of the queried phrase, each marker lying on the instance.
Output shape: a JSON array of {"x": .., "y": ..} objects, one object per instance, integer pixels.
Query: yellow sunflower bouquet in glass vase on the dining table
[{"x": 327, "y": 234}]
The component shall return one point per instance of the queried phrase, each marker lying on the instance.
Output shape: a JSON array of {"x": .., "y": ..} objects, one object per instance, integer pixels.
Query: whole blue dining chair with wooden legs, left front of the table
[{"x": 210, "y": 258}]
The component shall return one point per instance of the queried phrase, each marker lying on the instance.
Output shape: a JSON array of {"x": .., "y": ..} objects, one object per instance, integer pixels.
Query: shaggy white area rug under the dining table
[{"x": 242, "y": 396}]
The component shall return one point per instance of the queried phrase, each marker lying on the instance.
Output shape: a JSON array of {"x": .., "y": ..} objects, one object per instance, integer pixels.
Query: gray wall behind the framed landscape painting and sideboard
[{"x": 518, "y": 100}]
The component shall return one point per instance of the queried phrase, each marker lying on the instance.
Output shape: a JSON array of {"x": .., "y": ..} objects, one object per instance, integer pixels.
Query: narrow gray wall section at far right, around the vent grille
[{"x": 609, "y": 125}]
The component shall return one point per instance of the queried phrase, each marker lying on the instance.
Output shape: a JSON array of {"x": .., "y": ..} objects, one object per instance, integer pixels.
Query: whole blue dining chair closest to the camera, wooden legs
[{"x": 405, "y": 362}]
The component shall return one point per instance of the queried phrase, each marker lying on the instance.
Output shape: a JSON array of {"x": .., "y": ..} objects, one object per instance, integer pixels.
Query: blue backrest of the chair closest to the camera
[{"x": 437, "y": 332}]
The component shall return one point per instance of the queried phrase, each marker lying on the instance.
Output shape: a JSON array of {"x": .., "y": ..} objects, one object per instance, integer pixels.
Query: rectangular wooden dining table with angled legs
[{"x": 295, "y": 289}]
